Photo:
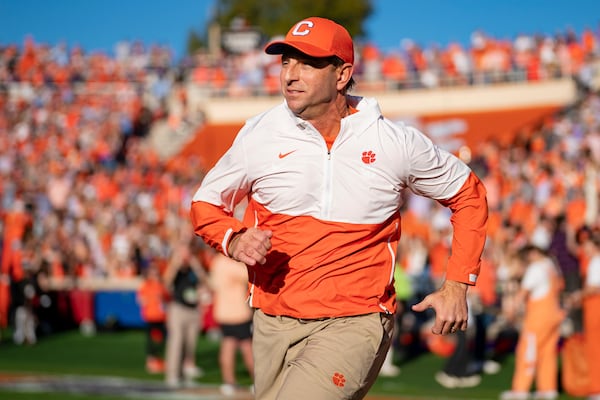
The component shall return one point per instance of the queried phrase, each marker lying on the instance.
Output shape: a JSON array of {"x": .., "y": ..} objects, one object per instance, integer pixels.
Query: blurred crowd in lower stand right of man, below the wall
[{"x": 542, "y": 194}]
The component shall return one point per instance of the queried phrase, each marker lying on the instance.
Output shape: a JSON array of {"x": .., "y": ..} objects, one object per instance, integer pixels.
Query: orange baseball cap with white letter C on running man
[{"x": 316, "y": 37}]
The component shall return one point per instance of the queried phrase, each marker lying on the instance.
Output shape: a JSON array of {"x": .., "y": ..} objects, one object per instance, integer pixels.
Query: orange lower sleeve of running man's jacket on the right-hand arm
[{"x": 469, "y": 220}]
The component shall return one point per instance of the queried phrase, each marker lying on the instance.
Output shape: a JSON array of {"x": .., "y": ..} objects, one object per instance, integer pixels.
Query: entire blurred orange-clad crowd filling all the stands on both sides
[{"x": 84, "y": 194}]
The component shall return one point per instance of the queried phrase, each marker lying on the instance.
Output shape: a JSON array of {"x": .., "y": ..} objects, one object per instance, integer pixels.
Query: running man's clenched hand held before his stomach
[{"x": 250, "y": 246}]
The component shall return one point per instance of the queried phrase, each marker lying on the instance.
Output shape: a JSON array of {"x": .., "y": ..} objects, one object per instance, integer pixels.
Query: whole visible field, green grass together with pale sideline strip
[{"x": 110, "y": 366}]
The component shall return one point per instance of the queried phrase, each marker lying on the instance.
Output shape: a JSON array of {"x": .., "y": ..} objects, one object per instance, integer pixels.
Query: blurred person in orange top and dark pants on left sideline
[{"x": 152, "y": 297}]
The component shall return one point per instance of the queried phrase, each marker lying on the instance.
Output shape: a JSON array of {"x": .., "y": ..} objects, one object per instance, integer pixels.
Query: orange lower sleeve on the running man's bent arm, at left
[{"x": 213, "y": 224}]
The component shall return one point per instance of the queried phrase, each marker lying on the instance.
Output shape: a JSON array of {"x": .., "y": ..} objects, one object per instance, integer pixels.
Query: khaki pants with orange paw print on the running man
[{"x": 336, "y": 358}]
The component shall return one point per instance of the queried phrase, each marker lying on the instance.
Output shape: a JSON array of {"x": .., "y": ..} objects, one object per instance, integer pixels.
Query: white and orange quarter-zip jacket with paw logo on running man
[{"x": 334, "y": 213}]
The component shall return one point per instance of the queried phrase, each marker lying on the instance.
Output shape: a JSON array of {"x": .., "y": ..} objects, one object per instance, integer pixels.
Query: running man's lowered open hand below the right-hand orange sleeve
[{"x": 450, "y": 305}]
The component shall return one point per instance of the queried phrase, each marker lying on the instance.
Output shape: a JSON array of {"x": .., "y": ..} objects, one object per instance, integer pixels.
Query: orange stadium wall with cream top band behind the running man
[{"x": 451, "y": 117}]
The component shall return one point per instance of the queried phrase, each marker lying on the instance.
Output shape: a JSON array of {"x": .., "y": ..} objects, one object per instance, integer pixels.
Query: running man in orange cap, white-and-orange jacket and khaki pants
[{"x": 323, "y": 174}]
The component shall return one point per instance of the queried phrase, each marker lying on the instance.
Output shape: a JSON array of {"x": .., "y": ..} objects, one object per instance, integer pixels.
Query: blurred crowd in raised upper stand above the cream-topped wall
[{"x": 410, "y": 65}]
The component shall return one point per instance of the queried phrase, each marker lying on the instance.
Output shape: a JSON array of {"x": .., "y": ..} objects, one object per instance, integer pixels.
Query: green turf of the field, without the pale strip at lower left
[{"x": 121, "y": 354}]
